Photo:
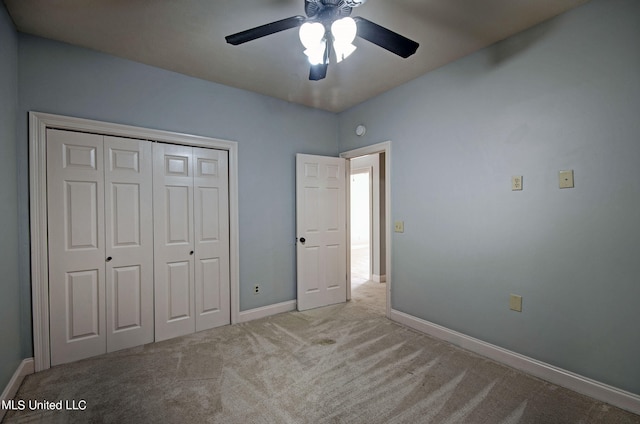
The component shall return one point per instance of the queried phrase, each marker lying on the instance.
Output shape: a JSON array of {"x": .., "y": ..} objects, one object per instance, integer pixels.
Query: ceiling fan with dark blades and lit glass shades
[{"x": 329, "y": 31}]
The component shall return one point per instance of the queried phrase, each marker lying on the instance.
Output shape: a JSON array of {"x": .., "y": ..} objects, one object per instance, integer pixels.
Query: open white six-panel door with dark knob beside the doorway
[{"x": 321, "y": 231}]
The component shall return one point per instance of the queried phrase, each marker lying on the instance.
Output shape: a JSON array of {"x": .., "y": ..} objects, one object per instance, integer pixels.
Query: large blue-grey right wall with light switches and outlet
[{"x": 563, "y": 95}]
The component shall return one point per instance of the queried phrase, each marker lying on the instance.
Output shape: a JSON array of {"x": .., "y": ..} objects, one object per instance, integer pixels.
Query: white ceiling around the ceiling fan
[{"x": 187, "y": 36}]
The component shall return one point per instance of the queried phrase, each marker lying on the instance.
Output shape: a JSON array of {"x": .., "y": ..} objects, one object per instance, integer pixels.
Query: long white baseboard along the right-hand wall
[{"x": 586, "y": 386}]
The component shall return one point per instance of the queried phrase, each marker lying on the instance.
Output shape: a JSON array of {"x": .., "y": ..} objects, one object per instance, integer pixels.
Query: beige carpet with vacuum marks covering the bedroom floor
[{"x": 339, "y": 364}]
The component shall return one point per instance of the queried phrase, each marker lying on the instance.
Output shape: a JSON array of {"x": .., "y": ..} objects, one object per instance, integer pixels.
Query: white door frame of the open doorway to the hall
[{"x": 384, "y": 147}]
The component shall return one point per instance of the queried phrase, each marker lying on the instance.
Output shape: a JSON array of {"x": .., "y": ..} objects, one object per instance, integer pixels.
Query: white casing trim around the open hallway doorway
[{"x": 384, "y": 147}]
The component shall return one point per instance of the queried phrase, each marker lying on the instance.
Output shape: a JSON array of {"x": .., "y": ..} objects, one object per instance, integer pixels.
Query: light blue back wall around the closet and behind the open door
[{"x": 66, "y": 80}]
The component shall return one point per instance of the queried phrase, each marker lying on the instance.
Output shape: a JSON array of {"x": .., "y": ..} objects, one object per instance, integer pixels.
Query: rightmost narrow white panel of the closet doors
[{"x": 211, "y": 213}]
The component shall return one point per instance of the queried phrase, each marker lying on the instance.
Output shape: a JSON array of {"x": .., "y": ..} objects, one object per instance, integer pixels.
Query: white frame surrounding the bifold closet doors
[{"x": 38, "y": 124}]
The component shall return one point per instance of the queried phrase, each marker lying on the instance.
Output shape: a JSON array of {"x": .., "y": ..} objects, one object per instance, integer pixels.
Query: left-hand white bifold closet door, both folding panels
[{"x": 99, "y": 194}]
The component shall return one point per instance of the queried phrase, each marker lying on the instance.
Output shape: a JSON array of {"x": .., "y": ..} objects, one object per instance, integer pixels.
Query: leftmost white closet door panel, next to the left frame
[{"x": 75, "y": 196}]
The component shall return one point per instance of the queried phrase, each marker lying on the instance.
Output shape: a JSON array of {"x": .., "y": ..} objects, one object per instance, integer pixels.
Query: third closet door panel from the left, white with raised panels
[{"x": 173, "y": 244}]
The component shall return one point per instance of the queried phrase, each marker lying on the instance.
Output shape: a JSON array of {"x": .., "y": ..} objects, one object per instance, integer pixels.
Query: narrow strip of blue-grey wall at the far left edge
[{"x": 10, "y": 348}]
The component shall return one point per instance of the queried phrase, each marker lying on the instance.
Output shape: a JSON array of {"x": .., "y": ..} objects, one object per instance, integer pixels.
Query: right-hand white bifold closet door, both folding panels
[{"x": 191, "y": 221}]
